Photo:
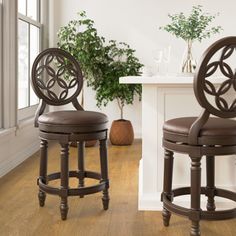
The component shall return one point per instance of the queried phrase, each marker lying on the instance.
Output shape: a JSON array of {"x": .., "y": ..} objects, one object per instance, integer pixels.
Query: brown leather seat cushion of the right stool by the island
[{"x": 224, "y": 130}]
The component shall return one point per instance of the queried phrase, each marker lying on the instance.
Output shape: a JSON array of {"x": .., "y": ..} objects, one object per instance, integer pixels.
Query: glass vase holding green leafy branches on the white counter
[{"x": 191, "y": 28}]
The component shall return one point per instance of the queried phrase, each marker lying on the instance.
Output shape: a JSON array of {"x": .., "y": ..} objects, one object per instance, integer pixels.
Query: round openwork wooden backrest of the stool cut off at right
[{"x": 215, "y": 79}]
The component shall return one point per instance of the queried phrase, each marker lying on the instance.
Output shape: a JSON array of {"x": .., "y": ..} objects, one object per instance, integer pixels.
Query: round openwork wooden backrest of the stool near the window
[{"x": 56, "y": 77}]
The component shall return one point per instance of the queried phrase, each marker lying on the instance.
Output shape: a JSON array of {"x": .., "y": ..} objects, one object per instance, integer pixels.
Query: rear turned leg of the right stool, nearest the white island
[{"x": 210, "y": 188}]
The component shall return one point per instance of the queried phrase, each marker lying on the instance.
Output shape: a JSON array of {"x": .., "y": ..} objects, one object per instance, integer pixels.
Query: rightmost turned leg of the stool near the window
[{"x": 104, "y": 172}]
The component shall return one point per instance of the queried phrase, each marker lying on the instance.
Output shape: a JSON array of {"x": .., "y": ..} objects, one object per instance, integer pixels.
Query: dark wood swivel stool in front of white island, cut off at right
[{"x": 204, "y": 136}]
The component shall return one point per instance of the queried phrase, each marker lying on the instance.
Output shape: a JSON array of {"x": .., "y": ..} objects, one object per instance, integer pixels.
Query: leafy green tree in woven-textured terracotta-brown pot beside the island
[{"x": 121, "y": 61}]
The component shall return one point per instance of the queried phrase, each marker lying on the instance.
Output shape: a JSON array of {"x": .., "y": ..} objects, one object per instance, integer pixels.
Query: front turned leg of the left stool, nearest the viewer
[{"x": 64, "y": 179}]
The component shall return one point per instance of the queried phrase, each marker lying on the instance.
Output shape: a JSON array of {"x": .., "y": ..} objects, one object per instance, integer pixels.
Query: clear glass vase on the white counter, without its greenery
[{"x": 189, "y": 64}]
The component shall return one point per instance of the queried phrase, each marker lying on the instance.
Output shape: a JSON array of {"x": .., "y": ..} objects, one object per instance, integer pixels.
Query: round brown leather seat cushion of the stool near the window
[{"x": 72, "y": 121}]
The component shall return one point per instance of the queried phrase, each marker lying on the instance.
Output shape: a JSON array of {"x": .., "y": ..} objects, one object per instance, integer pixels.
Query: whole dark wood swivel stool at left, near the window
[{"x": 57, "y": 80}]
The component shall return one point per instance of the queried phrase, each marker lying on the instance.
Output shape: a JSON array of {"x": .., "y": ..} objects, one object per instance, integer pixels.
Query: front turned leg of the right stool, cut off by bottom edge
[{"x": 195, "y": 195}]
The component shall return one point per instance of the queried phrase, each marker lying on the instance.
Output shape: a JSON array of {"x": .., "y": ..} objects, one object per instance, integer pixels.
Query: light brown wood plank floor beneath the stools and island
[{"x": 21, "y": 215}]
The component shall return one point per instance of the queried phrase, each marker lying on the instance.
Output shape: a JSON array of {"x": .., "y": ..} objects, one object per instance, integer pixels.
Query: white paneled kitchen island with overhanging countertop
[{"x": 163, "y": 98}]
